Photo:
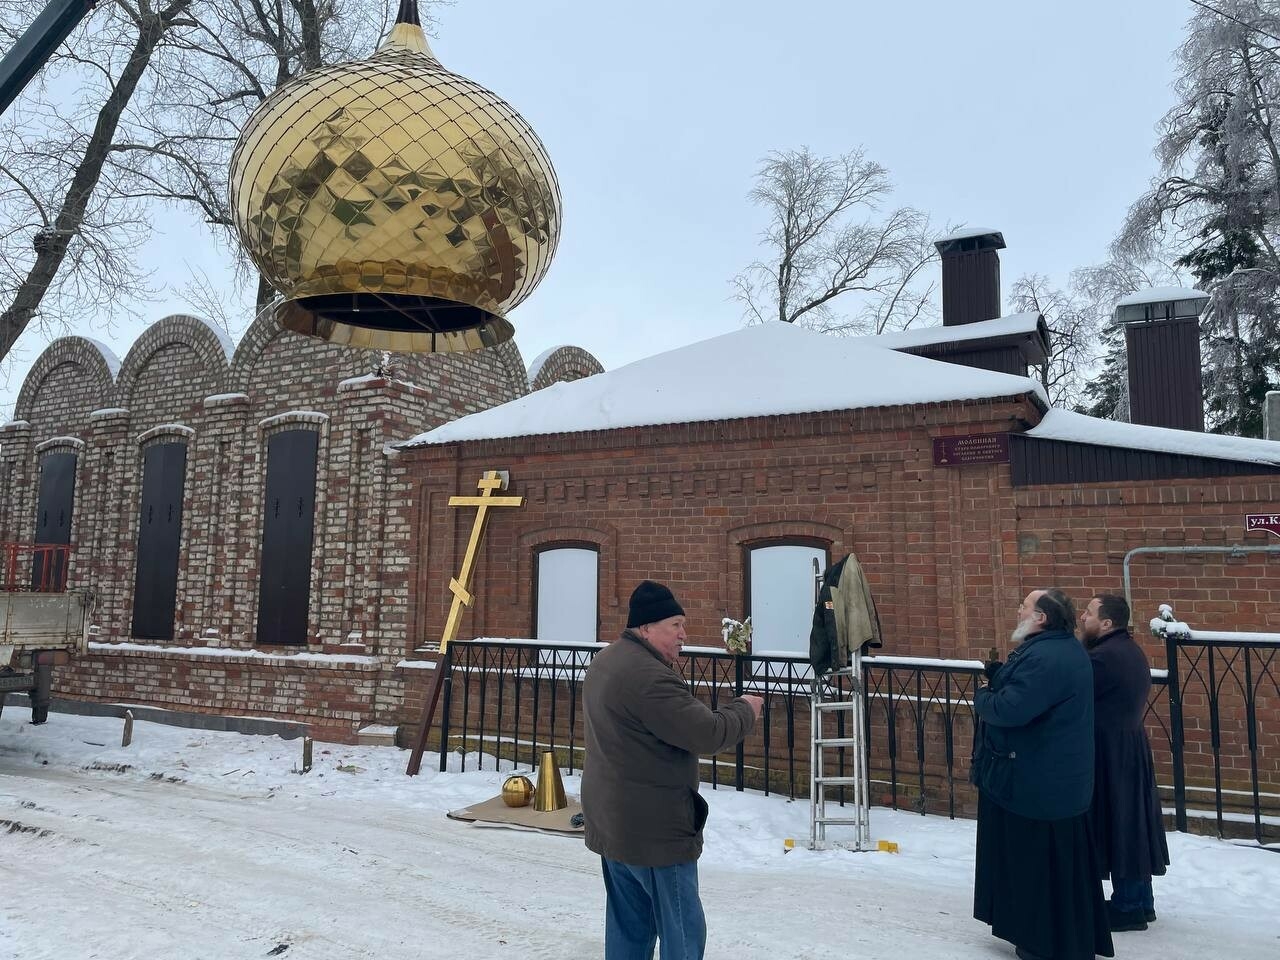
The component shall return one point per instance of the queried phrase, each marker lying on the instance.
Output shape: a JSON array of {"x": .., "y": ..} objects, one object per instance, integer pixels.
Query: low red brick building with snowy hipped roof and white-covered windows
[{"x": 729, "y": 468}]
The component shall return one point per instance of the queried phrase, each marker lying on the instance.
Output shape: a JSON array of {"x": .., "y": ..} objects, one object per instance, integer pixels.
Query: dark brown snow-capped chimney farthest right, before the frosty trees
[{"x": 1162, "y": 332}]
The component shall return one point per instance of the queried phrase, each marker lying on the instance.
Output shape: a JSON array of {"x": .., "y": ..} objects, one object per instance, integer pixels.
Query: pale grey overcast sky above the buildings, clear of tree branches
[{"x": 1034, "y": 118}]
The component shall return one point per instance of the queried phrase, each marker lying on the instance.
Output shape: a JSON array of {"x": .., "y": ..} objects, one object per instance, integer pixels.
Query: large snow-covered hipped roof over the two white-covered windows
[{"x": 766, "y": 371}]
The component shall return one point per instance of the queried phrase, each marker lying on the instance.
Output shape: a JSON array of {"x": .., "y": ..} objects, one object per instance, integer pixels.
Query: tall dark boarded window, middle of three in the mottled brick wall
[{"x": 156, "y": 586}]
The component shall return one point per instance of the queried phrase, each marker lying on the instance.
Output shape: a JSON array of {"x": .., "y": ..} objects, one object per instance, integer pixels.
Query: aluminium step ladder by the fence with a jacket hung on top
[{"x": 838, "y": 761}]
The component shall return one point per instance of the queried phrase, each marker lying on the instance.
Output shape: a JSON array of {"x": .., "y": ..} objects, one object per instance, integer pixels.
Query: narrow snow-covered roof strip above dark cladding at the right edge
[{"x": 1078, "y": 428}]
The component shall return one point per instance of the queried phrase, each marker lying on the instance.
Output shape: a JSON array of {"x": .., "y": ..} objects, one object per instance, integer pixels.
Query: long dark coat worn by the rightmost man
[{"x": 1128, "y": 826}]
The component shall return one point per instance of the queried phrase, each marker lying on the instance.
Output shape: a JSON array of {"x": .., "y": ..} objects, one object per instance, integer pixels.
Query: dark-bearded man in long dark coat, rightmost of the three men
[{"x": 1128, "y": 825}]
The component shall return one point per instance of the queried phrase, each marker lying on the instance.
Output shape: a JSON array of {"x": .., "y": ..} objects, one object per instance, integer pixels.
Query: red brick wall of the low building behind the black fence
[{"x": 949, "y": 552}]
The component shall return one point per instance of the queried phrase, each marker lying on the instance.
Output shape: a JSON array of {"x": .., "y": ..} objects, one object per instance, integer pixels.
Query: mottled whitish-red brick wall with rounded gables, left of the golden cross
[{"x": 182, "y": 382}]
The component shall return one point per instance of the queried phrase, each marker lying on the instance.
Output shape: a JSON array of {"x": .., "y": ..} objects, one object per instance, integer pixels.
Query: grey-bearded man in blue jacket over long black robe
[{"x": 1036, "y": 874}]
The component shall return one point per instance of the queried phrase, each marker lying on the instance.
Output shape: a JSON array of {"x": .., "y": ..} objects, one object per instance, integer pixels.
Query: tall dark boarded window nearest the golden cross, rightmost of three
[{"x": 289, "y": 518}]
